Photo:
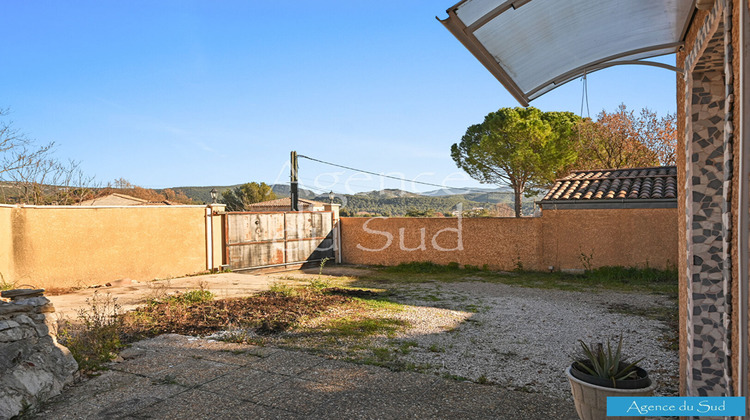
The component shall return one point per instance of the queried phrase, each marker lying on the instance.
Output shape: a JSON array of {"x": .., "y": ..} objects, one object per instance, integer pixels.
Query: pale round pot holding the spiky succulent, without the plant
[{"x": 591, "y": 400}]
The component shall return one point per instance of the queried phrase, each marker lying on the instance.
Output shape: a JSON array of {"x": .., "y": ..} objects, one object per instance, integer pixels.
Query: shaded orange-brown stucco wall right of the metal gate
[{"x": 612, "y": 237}]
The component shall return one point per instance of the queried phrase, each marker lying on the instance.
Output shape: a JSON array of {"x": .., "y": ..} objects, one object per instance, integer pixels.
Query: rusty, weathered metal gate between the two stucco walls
[{"x": 255, "y": 240}]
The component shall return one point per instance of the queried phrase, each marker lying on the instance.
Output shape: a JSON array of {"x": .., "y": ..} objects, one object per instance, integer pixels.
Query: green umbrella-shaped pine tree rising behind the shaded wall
[{"x": 521, "y": 147}]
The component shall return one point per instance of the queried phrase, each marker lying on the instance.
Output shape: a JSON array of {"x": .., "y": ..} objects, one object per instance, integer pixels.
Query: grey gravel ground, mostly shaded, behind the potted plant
[{"x": 523, "y": 338}]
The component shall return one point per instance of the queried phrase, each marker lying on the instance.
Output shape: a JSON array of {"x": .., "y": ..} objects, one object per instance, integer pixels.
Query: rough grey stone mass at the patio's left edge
[{"x": 33, "y": 366}]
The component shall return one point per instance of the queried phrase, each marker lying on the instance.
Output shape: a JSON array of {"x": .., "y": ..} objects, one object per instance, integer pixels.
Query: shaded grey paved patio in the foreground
[{"x": 178, "y": 377}]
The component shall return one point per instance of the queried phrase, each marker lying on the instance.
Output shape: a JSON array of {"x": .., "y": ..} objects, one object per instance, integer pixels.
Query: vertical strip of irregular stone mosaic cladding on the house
[{"x": 708, "y": 178}]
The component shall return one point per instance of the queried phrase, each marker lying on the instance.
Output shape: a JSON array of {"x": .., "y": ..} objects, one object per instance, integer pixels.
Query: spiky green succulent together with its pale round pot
[{"x": 599, "y": 373}]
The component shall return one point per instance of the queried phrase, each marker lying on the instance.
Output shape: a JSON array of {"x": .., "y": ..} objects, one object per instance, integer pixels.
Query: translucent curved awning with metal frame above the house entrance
[{"x": 533, "y": 46}]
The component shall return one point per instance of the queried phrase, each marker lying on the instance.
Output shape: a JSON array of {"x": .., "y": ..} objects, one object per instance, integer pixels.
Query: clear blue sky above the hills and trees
[{"x": 177, "y": 93}]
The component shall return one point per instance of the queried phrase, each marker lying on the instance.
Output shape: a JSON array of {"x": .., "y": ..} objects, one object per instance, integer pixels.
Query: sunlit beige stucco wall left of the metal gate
[{"x": 74, "y": 247}]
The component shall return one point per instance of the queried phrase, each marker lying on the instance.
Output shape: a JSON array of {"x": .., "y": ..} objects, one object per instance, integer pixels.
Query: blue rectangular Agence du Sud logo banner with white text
[{"x": 675, "y": 406}]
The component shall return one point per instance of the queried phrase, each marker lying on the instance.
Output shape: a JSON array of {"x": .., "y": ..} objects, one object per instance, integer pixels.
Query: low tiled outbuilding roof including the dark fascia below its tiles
[{"x": 606, "y": 188}]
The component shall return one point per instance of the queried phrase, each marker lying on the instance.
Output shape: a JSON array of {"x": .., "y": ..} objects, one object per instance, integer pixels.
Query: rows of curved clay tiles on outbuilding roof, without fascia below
[{"x": 616, "y": 184}]
